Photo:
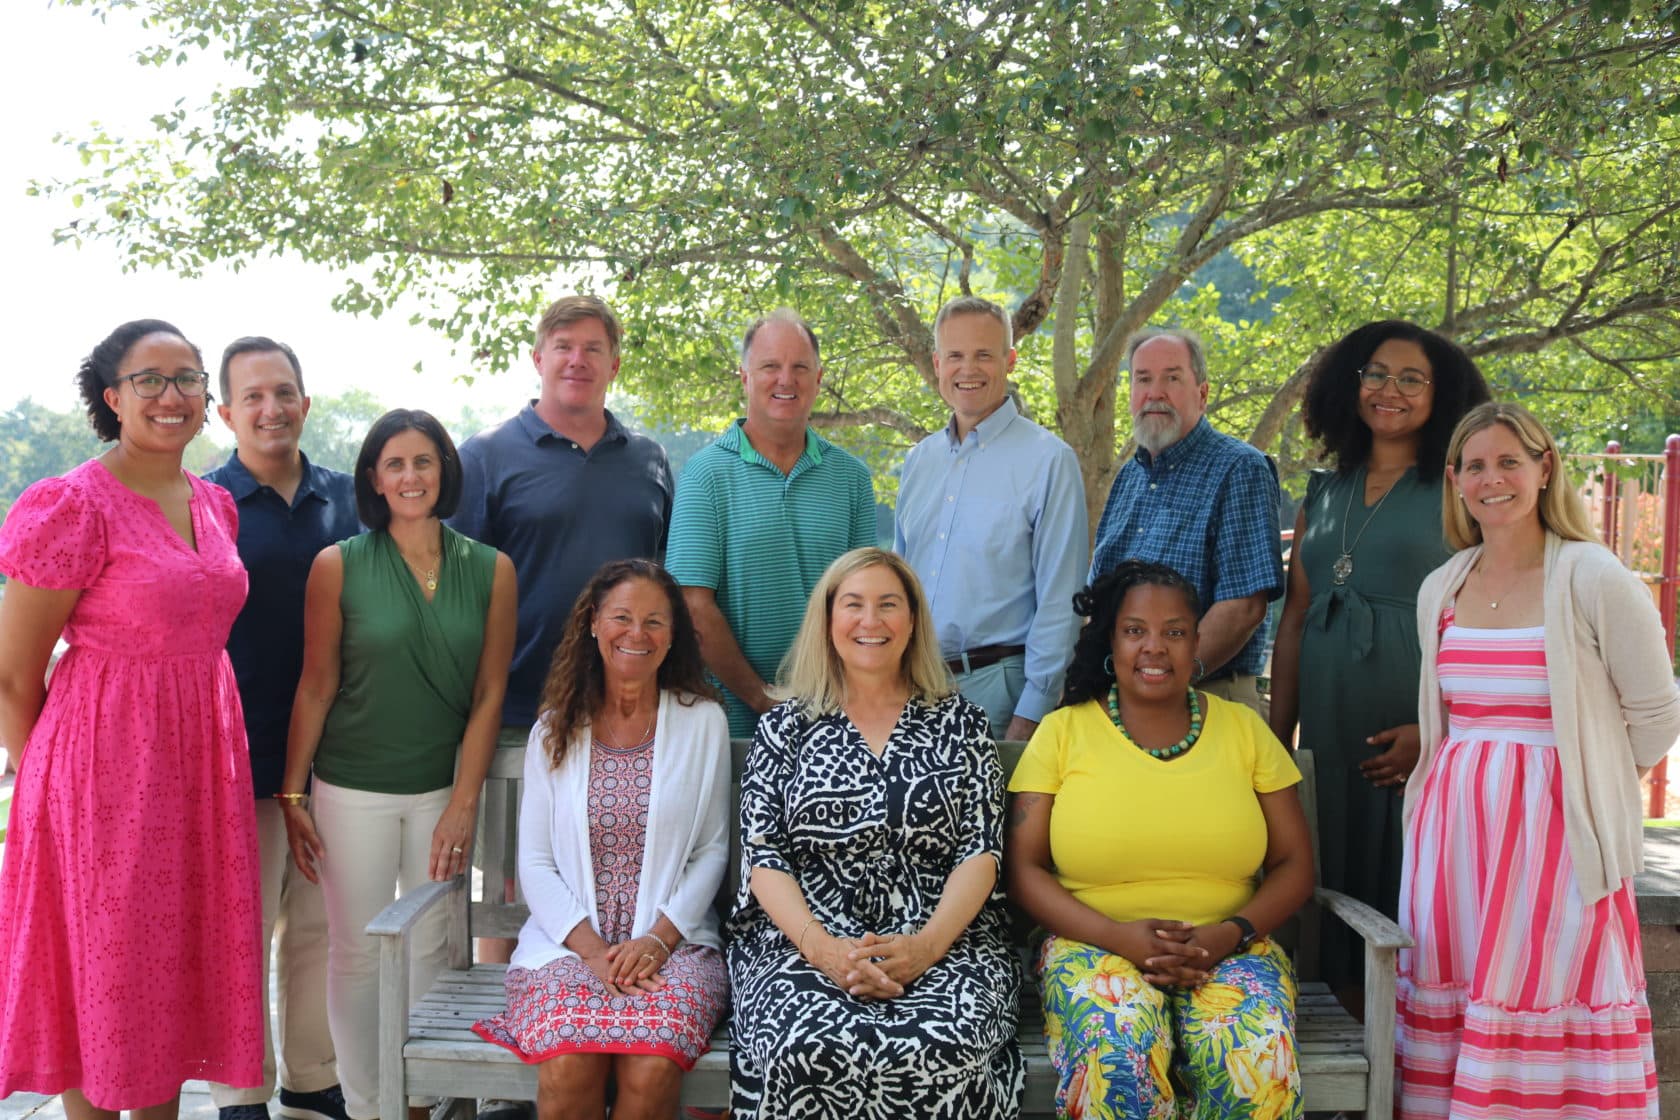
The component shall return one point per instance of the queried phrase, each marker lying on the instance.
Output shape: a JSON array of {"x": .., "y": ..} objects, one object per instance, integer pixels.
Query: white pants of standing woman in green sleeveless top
[{"x": 379, "y": 847}]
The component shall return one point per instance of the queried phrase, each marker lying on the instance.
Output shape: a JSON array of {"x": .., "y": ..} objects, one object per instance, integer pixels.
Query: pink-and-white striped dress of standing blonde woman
[{"x": 1520, "y": 1000}]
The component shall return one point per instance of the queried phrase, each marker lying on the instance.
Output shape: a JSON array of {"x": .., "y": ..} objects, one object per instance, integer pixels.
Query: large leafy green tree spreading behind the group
[{"x": 1503, "y": 170}]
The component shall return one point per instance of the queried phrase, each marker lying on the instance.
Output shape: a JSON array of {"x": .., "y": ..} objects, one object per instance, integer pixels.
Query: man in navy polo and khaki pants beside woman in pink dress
[{"x": 290, "y": 510}]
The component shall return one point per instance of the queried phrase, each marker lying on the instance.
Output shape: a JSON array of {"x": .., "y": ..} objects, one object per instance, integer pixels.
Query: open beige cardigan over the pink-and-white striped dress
[{"x": 1615, "y": 706}]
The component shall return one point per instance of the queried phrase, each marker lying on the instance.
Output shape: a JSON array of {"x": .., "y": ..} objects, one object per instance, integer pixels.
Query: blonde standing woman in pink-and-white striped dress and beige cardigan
[{"x": 1546, "y": 694}]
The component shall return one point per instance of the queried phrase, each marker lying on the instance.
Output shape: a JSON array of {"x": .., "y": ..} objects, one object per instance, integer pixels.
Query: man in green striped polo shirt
[{"x": 762, "y": 513}]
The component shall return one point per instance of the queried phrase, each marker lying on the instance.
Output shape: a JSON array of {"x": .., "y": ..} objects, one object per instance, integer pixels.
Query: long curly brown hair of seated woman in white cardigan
[{"x": 577, "y": 683}]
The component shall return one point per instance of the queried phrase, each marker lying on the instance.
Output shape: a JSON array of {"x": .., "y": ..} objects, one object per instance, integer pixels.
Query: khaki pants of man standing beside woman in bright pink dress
[{"x": 295, "y": 928}]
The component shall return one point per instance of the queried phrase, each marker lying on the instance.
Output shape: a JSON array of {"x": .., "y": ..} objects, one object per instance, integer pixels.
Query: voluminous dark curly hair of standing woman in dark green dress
[{"x": 1331, "y": 406}]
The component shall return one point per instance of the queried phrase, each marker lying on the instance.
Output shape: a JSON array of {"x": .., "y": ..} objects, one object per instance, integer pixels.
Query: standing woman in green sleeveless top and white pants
[{"x": 407, "y": 637}]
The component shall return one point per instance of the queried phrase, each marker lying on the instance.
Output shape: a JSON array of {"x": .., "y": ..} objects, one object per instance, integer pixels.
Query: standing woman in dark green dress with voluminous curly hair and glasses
[{"x": 1382, "y": 404}]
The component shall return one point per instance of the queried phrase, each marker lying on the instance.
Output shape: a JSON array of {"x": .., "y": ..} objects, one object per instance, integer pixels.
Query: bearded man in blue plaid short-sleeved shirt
[{"x": 1202, "y": 503}]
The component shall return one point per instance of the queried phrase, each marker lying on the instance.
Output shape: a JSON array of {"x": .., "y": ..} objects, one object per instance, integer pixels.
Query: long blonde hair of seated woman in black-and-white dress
[{"x": 812, "y": 671}]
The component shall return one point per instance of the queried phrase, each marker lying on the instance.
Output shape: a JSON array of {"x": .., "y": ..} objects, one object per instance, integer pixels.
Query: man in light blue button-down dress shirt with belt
[{"x": 992, "y": 516}]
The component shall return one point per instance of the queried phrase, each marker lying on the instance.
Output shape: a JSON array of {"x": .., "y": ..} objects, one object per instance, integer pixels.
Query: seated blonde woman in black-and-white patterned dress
[{"x": 869, "y": 958}]
